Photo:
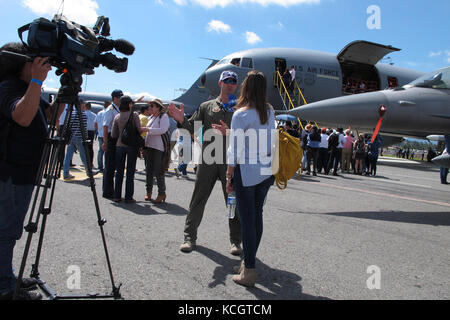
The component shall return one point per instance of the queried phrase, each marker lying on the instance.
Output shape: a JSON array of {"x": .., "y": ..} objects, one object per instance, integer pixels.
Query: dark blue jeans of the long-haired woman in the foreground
[{"x": 250, "y": 202}]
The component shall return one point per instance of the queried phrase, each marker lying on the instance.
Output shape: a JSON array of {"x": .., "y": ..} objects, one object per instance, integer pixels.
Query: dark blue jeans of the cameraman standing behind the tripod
[{"x": 14, "y": 203}]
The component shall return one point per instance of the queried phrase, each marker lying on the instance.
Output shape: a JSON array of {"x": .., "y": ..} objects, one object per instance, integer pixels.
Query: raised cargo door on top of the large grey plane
[{"x": 365, "y": 52}]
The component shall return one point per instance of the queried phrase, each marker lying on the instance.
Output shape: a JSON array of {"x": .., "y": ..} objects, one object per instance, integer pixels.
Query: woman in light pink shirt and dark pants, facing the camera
[{"x": 158, "y": 125}]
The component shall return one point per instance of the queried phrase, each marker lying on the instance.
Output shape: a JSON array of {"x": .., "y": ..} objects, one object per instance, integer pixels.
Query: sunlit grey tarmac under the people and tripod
[{"x": 323, "y": 238}]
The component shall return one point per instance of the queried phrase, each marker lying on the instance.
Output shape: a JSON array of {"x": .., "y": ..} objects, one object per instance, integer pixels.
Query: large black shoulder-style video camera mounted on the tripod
[{"x": 75, "y": 47}]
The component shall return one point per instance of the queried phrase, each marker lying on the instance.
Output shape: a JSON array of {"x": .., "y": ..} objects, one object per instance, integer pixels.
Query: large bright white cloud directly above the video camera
[{"x": 80, "y": 11}]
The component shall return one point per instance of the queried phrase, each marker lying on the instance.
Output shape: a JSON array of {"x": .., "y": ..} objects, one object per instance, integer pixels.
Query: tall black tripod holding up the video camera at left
[{"x": 48, "y": 174}]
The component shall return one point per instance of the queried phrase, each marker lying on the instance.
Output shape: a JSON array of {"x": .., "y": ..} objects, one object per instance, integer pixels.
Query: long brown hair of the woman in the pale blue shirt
[{"x": 254, "y": 94}]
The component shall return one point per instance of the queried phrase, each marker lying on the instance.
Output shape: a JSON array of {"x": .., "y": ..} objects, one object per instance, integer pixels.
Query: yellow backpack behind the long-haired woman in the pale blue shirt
[{"x": 289, "y": 158}]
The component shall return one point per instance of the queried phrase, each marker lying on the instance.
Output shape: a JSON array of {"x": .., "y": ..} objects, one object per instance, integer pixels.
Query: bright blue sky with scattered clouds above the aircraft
[{"x": 171, "y": 35}]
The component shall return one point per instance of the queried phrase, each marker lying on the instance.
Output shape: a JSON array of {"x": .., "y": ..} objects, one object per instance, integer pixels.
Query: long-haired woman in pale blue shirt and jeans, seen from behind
[{"x": 249, "y": 171}]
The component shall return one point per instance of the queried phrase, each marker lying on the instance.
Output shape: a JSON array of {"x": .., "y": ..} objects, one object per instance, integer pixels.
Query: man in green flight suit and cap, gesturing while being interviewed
[{"x": 214, "y": 115}]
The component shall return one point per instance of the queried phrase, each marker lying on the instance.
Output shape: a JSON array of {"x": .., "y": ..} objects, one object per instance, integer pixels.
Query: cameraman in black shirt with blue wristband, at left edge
[{"x": 23, "y": 126}]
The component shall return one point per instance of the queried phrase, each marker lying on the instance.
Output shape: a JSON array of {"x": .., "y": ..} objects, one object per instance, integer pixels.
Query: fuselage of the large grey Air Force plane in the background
[{"x": 319, "y": 75}]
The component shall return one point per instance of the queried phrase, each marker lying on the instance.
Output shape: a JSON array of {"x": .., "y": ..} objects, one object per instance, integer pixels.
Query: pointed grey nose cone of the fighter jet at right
[{"x": 342, "y": 111}]
